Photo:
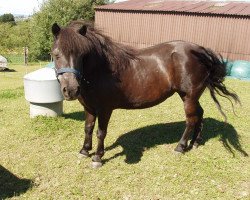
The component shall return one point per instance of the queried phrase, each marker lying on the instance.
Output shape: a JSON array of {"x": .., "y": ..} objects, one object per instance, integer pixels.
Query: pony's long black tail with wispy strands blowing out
[{"x": 216, "y": 75}]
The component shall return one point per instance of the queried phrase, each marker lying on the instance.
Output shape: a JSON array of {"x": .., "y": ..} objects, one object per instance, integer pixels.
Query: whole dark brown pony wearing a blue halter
[{"x": 104, "y": 75}]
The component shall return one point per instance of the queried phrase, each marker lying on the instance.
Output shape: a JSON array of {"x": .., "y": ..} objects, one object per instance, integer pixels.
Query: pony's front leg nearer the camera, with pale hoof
[{"x": 103, "y": 120}]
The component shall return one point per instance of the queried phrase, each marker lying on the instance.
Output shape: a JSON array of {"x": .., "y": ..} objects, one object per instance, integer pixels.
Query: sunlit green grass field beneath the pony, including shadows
[{"x": 39, "y": 157}]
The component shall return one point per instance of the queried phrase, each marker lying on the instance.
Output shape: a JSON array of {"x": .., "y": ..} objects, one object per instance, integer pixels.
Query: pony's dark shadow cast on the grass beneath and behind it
[{"x": 135, "y": 142}]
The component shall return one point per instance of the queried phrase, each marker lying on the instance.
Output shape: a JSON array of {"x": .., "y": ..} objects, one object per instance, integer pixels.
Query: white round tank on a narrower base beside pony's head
[{"x": 42, "y": 90}]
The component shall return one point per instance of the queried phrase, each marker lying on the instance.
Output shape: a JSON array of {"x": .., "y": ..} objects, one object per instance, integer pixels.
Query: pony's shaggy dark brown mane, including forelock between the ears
[{"x": 116, "y": 56}]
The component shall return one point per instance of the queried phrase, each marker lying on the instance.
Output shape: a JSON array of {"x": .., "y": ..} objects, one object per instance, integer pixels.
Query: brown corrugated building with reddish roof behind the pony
[{"x": 221, "y": 26}]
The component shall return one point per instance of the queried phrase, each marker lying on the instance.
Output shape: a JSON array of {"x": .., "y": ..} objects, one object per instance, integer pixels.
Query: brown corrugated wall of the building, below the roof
[{"x": 229, "y": 36}]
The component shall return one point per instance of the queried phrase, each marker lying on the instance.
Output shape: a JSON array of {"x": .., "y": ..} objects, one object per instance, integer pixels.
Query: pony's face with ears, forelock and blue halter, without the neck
[{"x": 67, "y": 55}]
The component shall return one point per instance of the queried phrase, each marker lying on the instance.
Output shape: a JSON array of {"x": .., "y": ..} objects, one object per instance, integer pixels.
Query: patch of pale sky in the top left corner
[{"x": 25, "y": 7}]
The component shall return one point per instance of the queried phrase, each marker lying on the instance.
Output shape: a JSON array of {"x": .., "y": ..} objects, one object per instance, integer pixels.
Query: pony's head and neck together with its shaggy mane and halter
[{"x": 81, "y": 51}]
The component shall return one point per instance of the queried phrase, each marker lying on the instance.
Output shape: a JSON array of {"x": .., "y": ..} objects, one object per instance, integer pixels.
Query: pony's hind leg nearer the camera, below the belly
[{"x": 193, "y": 118}]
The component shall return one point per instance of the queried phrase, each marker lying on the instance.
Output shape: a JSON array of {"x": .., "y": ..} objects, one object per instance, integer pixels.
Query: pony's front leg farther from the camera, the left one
[{"x": 89, "y": 126}]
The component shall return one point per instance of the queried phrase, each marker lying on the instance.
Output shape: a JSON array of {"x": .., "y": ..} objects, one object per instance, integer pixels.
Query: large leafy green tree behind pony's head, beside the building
[{"x": 62, "y": 12}]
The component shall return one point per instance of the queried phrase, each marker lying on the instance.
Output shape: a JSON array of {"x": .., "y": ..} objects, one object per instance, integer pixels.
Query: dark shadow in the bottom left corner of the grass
[{"x": 11, "y": 185}]
